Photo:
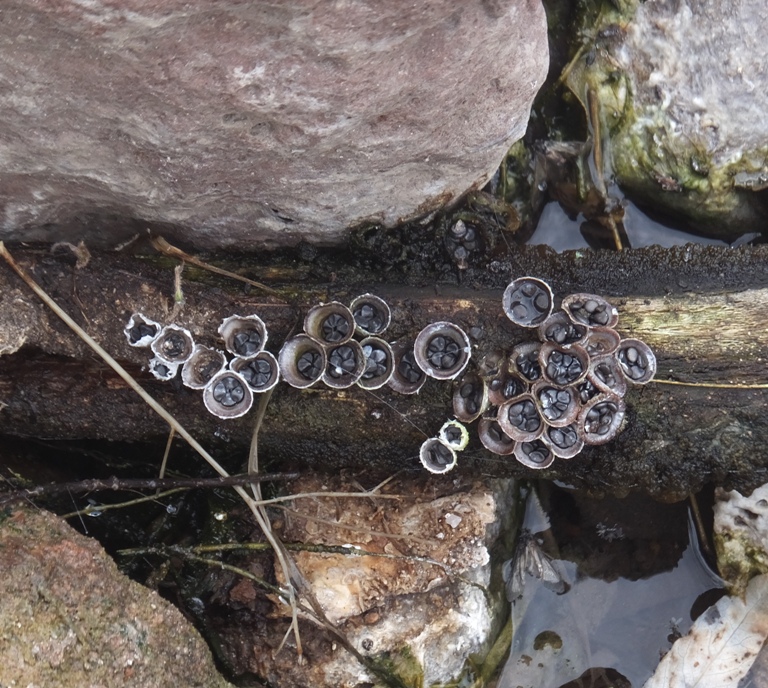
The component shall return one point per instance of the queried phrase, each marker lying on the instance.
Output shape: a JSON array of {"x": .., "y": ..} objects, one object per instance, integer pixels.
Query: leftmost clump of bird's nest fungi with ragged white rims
[{"x": 228, "y": 379}]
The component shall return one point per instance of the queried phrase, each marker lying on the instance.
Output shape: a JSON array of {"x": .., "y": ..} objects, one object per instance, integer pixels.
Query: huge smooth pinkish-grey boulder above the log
[{"x": 254, "y": 123}]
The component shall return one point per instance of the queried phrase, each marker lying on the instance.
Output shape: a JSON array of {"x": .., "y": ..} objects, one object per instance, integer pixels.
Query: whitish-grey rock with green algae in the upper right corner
[{"x": 683, "y": 87}]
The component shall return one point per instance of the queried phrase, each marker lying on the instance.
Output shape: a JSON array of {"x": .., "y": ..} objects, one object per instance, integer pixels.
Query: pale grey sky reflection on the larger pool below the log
[{"x": 595, "y": 627}]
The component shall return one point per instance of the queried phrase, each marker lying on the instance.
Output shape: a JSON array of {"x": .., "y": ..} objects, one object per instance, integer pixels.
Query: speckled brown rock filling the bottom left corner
[{"x": 69, "y": 618}]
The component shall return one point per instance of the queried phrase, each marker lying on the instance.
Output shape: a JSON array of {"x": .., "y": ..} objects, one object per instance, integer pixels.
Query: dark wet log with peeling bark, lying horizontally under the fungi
[{"x": 702, "y": 310}]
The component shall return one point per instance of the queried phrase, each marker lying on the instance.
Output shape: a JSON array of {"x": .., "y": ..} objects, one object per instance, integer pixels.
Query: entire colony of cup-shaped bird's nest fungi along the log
[{"x": 543, "y": 399}]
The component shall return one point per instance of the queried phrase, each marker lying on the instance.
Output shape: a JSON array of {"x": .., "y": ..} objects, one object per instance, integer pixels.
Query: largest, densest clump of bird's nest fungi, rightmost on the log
[{"x": 549, "y": 398}]
